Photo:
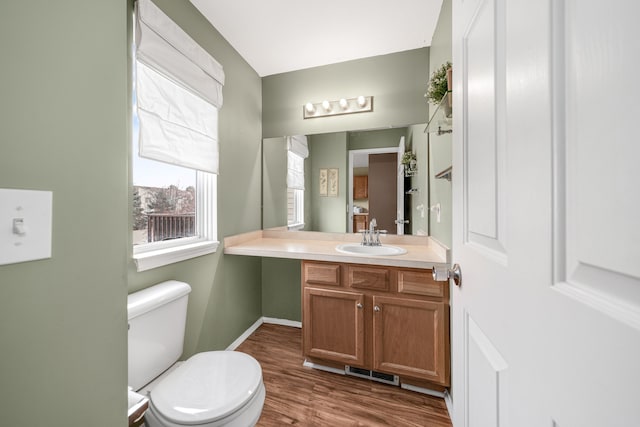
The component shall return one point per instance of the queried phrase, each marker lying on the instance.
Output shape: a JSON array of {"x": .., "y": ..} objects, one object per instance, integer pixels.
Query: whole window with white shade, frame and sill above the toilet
[{"x": 178, "y": 91}]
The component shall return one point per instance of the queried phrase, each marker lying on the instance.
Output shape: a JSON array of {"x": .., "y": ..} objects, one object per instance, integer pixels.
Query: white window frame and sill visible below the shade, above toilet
[{"x": 157, "y": 254}]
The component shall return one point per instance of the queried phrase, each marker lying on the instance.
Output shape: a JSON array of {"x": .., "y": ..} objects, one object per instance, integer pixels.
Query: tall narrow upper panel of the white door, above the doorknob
[{"x": 484, "y": 154}]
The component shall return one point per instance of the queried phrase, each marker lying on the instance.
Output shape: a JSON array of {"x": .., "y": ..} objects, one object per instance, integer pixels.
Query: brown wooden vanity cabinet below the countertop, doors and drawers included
[{"x": 387, "y": 319}]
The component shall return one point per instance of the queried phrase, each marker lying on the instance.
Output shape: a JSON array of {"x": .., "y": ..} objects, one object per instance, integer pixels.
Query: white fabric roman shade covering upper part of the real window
[{"x": 179, "y": 91}]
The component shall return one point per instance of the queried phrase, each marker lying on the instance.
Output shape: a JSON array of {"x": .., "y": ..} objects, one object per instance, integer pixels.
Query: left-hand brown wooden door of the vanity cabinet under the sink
[{"x": 333, "y": 325}]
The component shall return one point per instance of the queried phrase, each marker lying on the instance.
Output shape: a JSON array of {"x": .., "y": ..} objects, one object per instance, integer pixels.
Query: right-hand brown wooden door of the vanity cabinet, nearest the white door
[{"x": 410, "y": 337}]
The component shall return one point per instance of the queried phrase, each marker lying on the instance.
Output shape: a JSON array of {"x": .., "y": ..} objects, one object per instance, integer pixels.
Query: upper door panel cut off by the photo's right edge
[{"x": 598, "y": 195}]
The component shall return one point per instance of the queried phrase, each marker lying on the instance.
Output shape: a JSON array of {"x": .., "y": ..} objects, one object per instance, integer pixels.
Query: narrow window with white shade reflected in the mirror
[{"x": 297, "y": 151}]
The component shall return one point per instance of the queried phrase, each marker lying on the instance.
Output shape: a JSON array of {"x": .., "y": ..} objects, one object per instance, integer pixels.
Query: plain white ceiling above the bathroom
[{"x": 287, "y": 35}]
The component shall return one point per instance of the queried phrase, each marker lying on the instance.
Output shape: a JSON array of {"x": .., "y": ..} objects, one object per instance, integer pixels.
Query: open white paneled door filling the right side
[{"x": 546, "y": 193}]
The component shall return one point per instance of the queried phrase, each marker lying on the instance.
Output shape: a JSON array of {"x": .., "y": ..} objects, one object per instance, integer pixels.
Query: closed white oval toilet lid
[{"x": 207, "y": 387}]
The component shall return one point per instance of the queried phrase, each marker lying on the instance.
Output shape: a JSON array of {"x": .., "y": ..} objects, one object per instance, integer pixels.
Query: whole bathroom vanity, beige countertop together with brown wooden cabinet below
[{"x": 379, "y": 317}]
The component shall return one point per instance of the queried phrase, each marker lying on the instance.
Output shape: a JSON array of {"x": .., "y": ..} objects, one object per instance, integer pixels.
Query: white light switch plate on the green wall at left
[{"x": 25, "y": 225}]
